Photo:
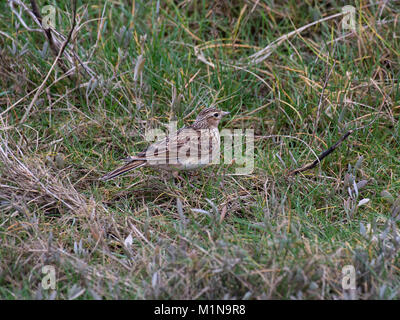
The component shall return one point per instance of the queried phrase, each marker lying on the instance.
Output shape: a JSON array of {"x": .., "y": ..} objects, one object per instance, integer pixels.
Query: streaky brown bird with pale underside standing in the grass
[{"x": 189, "y": 148}]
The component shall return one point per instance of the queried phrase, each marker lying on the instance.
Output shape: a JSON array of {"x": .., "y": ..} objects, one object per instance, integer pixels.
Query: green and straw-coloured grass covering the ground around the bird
[{"x": 266, "y": 235}]
